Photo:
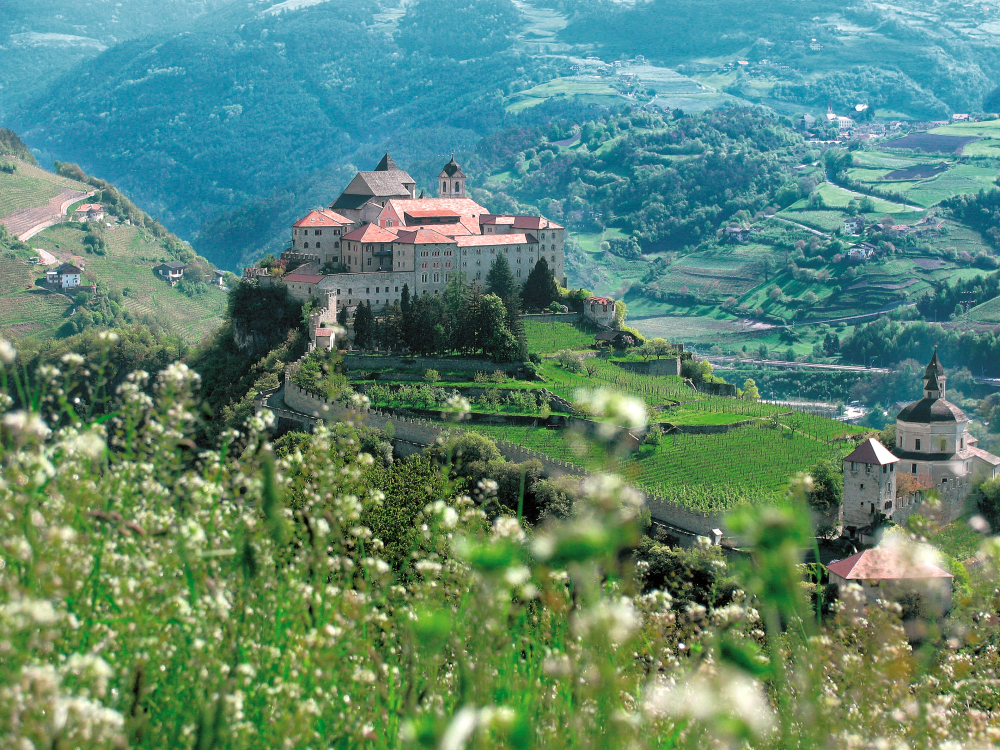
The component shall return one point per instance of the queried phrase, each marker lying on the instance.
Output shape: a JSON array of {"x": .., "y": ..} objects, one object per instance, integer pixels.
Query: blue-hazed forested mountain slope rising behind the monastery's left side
[{"x": 196, "y": 124}]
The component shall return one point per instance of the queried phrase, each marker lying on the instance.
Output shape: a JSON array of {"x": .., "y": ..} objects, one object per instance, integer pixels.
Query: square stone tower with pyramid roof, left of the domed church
[{"x": 869, "y": 485}]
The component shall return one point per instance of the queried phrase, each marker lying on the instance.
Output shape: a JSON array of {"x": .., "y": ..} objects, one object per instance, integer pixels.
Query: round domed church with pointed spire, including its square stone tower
[{"x": 933, "y": 445}]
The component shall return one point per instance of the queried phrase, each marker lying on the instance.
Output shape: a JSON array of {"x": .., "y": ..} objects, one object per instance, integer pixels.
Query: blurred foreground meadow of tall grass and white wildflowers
[{"x": 159, "y": 594}]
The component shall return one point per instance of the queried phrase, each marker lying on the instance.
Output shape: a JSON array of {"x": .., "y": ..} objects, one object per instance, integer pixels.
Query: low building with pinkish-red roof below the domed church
[{"x": 897, "y": 574}]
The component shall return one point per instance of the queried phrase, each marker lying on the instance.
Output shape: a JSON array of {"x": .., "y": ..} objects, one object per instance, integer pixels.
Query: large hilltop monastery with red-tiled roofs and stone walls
[{"x": 377, "y": 236}]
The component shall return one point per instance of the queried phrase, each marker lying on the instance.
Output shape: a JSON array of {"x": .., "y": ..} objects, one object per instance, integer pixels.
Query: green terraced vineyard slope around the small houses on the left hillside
[{"x": 127, "y": 268}]
